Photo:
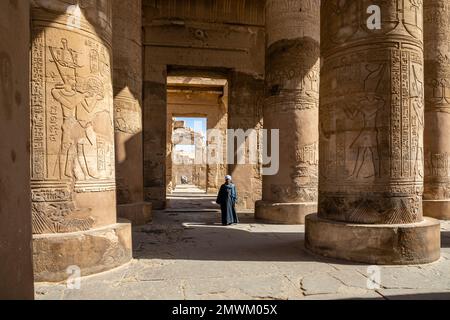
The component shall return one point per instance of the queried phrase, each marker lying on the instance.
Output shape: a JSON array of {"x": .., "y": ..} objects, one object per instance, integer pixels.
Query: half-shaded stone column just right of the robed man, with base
[{"x": 291, "y": 106}]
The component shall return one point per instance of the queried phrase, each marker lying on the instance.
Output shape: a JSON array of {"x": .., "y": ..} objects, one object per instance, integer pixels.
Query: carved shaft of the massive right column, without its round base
[{"x": 372, "y": 113}]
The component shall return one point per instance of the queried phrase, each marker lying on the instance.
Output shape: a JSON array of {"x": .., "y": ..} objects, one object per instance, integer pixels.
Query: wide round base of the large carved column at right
[{"x": 416, "y": 243}]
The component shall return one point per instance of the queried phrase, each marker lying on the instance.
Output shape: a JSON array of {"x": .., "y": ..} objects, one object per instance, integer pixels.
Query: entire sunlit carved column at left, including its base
[{"x": 72, "y": 141}]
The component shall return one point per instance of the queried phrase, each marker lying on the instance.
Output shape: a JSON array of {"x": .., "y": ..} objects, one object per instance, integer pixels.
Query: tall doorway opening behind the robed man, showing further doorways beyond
[{"x": 197, "y": 122}]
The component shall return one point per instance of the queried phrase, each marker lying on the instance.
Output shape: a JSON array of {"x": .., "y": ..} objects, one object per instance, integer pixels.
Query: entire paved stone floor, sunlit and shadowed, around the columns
[{"x": 186, "y": 254}]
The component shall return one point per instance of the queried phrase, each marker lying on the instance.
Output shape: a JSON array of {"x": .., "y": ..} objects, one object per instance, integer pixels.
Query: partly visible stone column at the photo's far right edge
[{"x": 437, "y": 109}]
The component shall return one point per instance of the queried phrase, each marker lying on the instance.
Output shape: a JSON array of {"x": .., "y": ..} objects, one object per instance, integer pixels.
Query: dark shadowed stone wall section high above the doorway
[{"x": 226, "y": 36}]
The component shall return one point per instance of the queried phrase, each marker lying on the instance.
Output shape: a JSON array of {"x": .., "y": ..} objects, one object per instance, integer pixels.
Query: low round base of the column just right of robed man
[{"x": 284, "y": 213}]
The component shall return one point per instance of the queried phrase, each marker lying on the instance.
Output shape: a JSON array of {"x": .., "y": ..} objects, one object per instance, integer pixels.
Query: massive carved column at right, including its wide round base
[{"x": 371, "y": 137}]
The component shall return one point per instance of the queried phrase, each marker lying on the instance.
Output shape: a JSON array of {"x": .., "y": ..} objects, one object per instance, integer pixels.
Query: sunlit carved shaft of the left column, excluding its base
[{"x": 72, "y": 129}]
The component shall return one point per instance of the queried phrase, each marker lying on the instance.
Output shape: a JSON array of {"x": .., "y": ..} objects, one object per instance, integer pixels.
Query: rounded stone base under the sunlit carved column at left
[{"x": 92, "y": 251}]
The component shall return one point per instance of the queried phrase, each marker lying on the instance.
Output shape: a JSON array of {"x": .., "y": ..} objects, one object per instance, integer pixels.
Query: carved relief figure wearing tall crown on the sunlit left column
[{"x": 78, "y": 98}]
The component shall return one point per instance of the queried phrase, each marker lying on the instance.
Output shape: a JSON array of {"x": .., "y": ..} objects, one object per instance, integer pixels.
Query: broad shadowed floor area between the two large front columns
[{"x": 200, "y": 236}]
